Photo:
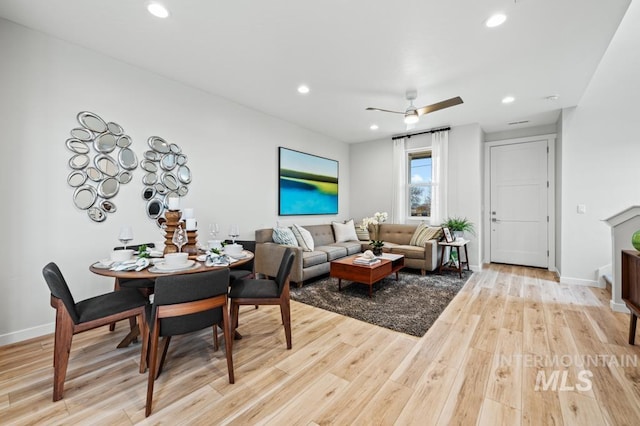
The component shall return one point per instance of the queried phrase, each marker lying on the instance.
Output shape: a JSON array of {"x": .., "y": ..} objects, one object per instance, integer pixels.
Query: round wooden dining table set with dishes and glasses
[{"x": 153, "y": 274}]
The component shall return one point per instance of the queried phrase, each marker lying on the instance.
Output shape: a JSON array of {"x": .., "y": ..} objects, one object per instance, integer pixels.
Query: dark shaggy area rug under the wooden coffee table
[{"x": 410, "y": 305}]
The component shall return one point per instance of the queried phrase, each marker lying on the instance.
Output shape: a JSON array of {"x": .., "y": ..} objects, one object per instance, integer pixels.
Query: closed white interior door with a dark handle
[{"x": 519, "y": 215}]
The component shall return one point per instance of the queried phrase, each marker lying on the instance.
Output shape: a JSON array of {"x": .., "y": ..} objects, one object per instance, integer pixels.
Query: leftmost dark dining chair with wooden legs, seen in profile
[{"x": 73, "y": 318}]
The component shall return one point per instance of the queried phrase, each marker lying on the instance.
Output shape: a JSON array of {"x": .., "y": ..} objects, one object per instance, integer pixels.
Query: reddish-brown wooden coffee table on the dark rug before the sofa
[{"x": 345, "y": 269}]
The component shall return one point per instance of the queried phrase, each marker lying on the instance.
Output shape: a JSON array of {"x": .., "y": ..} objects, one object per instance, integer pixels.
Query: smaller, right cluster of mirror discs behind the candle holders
[{"x": 166, "y": 175}]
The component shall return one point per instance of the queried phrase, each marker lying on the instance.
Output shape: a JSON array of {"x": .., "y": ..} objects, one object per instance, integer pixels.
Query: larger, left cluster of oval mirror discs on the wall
[{"x": 102, "y": 161}]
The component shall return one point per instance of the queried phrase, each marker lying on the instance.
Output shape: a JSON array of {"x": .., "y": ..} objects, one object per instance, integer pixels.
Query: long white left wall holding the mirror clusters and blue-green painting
[{"x": 44, "y": 83}]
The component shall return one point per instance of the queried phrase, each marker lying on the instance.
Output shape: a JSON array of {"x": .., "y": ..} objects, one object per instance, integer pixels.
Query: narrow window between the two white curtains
[{"x": 420, "y": 183}]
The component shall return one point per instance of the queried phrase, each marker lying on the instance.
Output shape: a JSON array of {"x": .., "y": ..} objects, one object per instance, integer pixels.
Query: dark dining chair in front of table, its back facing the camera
[{"x": 184, "y": 304}]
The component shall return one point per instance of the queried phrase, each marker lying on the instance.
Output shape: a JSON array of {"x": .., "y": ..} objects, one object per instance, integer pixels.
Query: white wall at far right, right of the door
[{"x": 600, "y": 155}]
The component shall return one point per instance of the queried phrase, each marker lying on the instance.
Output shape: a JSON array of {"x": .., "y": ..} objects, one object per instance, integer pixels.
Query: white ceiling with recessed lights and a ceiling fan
[{"x": 353, "y": 54}]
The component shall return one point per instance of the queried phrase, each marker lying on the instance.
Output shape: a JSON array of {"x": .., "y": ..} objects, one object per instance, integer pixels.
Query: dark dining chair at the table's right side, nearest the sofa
[{"x": 252, "y": 291}]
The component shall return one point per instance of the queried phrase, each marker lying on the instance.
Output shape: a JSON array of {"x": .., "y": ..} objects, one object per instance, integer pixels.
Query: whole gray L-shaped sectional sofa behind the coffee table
[{"x": 315, "y": 263}]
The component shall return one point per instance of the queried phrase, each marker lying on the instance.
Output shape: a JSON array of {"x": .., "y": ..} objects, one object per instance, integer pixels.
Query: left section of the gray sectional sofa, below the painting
[{"x": 307, "y": 264}]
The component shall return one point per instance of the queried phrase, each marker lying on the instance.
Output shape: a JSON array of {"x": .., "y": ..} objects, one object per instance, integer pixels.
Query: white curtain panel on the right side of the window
[{"x": 439, "y": 150}]
